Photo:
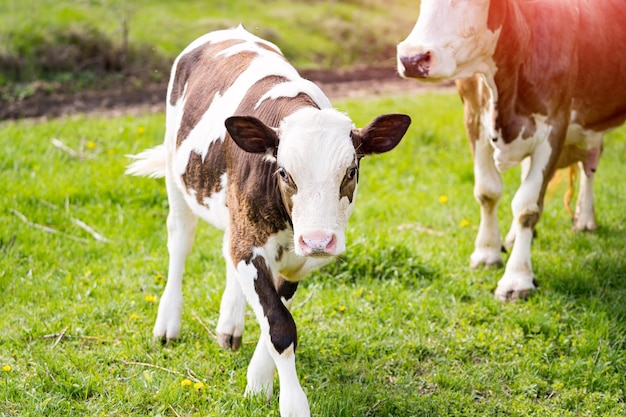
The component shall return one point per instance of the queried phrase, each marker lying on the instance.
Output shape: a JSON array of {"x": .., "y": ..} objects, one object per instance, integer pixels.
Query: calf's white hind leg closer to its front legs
[{"x": 232, "y": 308}]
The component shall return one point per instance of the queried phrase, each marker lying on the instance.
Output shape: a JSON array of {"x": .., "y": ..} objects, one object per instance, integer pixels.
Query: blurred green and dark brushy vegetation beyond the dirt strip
[{"x": 81, "y": 44}]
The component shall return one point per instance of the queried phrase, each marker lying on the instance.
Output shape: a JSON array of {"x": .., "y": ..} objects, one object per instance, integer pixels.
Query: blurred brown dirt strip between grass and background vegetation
[{"x": 119, "y": 101}]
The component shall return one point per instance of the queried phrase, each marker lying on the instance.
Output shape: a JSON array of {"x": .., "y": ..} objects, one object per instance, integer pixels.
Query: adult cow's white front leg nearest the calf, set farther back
[{"x": 487, "y": 191}]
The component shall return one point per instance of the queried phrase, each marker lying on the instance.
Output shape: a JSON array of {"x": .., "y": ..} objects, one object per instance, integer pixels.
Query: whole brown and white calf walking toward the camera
[{"x": 258, "y": 151}]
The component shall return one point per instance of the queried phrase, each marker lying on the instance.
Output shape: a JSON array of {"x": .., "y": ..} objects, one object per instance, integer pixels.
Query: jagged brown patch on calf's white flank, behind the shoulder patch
[{"x": 204, "y": 177}]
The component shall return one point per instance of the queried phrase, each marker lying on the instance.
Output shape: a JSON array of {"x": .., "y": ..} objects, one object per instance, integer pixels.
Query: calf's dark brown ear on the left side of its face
[{"x": 252, "y": 135}]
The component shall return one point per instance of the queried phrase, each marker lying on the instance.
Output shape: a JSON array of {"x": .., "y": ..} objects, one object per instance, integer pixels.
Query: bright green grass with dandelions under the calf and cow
[{"x": 399, "y": 326}]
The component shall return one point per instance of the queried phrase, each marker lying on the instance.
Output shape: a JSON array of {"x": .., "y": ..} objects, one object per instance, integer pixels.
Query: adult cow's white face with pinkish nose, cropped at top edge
[{"x": 450, "y": 40}]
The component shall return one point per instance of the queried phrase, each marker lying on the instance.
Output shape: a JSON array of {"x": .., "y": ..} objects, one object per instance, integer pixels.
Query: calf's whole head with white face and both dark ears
[{"x": 317, "y": 153}]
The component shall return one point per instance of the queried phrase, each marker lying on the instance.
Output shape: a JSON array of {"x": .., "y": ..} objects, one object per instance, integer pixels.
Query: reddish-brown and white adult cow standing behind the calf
[{"x": 542, "y": 81}]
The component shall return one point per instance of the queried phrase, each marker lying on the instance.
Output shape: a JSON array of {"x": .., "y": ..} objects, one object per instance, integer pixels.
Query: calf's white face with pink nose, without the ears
[{"x": 318, "y": 167}]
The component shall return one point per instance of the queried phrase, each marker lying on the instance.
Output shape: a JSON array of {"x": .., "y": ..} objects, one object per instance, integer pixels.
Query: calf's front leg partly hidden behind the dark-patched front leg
[{"x": 262, "y": 367}]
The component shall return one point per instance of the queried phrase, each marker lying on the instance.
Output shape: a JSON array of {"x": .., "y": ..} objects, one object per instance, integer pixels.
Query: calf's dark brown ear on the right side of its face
[{"x": 381, "y": 135}]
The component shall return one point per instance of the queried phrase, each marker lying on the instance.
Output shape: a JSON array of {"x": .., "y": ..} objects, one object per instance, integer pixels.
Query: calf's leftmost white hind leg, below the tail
[{"x": 181, "y": 226}]
